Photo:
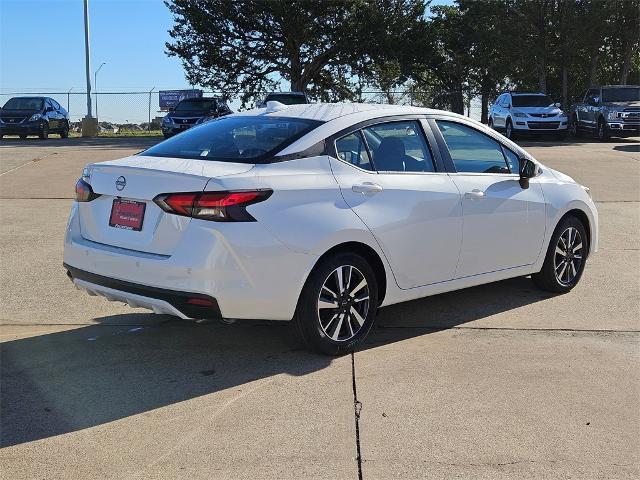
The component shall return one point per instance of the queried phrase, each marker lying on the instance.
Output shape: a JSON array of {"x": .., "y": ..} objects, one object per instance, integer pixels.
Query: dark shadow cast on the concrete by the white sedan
[{"x": 129, "y": 364}]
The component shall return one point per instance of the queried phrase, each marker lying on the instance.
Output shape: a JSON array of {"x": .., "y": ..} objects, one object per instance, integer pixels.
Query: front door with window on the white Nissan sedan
[{"x": 503, "y": 223}]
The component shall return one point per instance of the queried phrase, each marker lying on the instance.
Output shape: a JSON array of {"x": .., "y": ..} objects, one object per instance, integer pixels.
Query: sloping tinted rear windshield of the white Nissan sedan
[{"x": 243, "y": 139}]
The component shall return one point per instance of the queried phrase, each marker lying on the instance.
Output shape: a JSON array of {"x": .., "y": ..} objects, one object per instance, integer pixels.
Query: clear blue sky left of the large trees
[{"x": 42, "y": 51}]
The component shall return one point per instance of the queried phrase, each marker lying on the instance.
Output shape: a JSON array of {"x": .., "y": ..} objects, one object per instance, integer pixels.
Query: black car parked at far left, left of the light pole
[{"x": 39, "y": 116}]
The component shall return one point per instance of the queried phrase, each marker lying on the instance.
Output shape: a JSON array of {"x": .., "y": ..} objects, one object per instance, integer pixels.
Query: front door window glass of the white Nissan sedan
[{"x": 472, "y": 151}]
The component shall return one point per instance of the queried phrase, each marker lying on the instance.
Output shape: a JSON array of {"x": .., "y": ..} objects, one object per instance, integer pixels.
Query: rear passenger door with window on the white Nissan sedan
[{"x": 391, "y": 181}]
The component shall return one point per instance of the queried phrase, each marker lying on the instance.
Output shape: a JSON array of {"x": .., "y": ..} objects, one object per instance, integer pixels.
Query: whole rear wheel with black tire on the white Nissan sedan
[{"x": 331, "y": 321}]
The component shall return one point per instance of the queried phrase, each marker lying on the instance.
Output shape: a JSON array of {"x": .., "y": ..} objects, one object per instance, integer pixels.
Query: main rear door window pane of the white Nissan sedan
[{"x": 399, "y": 147}]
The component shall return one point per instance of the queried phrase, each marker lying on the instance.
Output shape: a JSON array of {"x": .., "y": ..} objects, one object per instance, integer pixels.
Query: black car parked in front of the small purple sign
[{"x": 191, "y": 111}]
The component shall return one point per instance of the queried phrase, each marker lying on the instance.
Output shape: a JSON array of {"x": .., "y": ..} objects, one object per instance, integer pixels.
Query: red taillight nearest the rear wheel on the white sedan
[{"x": 216, "y": 206}]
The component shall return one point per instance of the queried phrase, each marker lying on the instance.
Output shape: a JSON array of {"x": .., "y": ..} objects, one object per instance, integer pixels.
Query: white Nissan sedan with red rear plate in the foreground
[{"x": 321, "y": 213}]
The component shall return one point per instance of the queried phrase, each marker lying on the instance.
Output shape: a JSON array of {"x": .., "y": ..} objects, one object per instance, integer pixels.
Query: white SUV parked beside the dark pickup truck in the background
[{"x": 522, "y": 112}]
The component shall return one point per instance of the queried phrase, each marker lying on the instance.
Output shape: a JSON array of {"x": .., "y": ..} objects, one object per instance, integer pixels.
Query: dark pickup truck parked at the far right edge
[{"x": 611, "y": 110}]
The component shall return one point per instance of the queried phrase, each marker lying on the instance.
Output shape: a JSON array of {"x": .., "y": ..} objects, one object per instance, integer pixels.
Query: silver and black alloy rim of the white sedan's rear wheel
[{"x": 343, "y": 303}]
